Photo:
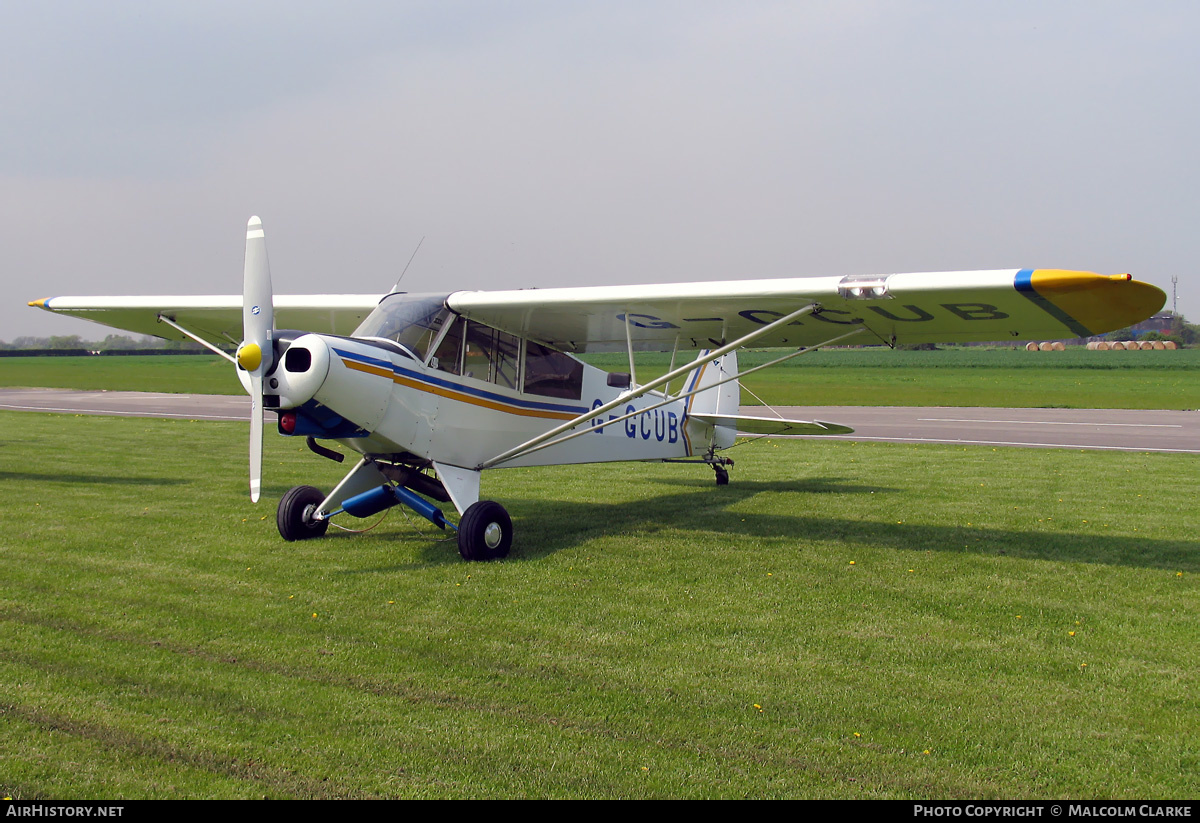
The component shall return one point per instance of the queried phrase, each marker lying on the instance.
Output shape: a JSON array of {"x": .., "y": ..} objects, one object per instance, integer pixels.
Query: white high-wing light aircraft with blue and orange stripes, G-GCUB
[{"x": 434, "y": 389}]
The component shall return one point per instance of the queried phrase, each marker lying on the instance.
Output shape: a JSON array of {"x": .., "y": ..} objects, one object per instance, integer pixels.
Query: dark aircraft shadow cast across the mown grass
[{"x": 553, "y": 526}]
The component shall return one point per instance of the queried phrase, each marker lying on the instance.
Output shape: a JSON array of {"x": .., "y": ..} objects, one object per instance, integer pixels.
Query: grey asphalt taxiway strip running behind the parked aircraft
[{"x": 1123, "y": 430}]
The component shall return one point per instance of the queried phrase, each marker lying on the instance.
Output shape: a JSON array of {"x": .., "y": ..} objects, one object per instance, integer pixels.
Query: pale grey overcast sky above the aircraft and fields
[{"x": 589, "y": 143}]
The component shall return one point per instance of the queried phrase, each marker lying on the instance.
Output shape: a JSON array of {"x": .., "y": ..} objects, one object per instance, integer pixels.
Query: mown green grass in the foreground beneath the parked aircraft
[{"x": 844, "y": 621}]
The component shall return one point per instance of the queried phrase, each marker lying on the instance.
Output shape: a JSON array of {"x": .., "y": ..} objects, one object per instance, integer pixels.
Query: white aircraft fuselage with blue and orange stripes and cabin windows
[{"x": 469, "y": 394}]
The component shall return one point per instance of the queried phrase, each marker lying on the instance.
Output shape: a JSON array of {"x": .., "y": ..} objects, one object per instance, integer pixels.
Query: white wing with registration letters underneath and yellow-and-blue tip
[{"x": 945, "y": 308}]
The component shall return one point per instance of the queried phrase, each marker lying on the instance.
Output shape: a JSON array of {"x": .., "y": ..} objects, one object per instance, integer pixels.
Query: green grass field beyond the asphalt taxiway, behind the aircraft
[{"x": 844, "y": 377}]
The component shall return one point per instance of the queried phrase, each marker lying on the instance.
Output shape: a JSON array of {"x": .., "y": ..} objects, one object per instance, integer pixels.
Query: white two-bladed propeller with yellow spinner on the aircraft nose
[{"x": 256, "y": 353}]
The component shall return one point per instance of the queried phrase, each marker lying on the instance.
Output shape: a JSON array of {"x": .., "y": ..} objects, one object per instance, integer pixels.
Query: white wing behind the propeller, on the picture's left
[{"x": 217, "y": 319}]
